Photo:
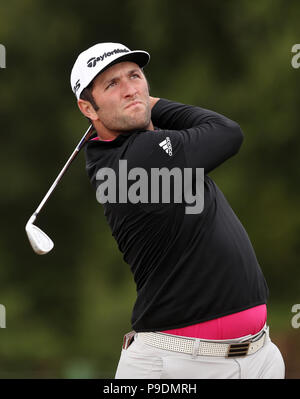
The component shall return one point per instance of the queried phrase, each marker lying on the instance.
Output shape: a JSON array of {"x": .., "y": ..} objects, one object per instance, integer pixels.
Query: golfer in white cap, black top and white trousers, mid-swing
[{"x": 201, "y": 300}]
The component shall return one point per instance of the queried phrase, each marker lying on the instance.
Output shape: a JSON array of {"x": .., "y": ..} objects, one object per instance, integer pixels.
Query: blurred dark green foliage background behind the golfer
[{"x": 66, "y": 312}]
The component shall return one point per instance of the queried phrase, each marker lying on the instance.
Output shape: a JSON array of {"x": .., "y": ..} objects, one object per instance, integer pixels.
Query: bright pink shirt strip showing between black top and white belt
[{"x": 249, "y": 321}]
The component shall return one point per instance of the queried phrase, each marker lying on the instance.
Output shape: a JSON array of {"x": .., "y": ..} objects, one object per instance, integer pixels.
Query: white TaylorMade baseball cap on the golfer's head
[{"x": 97, "y": 58}]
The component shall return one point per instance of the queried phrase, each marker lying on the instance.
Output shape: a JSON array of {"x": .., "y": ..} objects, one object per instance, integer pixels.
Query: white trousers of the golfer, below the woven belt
[{"x": 142, "y": 361}]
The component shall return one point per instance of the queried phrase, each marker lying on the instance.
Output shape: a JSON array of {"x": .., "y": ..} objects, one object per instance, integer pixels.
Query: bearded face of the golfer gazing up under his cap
[{"x": 122, "y": 95}]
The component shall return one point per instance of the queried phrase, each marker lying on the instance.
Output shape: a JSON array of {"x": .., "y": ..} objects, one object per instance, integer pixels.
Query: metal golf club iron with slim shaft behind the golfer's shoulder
[{"x": 40, "y": 242}]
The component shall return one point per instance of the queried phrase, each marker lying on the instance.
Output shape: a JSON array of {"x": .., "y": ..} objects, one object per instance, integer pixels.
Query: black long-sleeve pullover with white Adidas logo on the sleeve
[{"x": 188, "y": 268}]
